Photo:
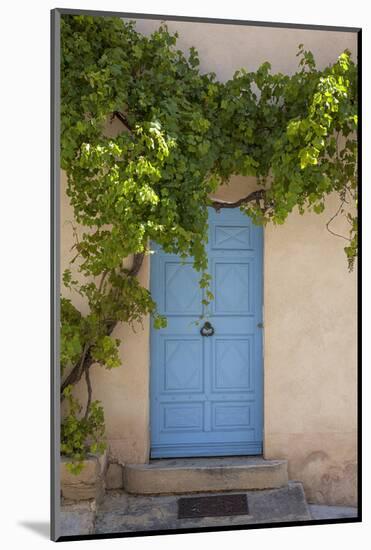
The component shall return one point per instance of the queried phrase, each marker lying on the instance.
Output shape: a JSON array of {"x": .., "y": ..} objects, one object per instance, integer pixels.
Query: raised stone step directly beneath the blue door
[{"x": 188, "y": 475}]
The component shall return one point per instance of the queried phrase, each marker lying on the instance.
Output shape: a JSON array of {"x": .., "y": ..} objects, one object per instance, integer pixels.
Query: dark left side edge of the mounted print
[{"x": 55, "y": 273}]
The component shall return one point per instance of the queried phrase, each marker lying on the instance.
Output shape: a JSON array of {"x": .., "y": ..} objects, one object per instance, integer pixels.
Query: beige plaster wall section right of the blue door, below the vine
[{"x": 310, "y": 356}]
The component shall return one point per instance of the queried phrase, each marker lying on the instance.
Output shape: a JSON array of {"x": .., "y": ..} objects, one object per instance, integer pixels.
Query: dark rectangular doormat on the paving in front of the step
[{"x": 220, "y": 505}]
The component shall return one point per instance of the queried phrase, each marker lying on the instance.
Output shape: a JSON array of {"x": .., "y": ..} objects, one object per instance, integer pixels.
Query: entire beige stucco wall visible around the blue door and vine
[{"x": 309, "y": 304}]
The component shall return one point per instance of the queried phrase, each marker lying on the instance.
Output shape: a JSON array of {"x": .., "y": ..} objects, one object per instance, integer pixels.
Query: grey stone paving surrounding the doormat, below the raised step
[{"x": 122, "y": 512}]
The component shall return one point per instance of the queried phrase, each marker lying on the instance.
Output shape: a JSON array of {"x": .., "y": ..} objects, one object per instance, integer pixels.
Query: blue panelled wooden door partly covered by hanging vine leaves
[{"x": 206, "y": 391}]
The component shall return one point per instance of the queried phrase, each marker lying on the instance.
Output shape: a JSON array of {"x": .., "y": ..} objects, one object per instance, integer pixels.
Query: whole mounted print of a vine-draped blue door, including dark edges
[{"x": 205, "y": 238}]
